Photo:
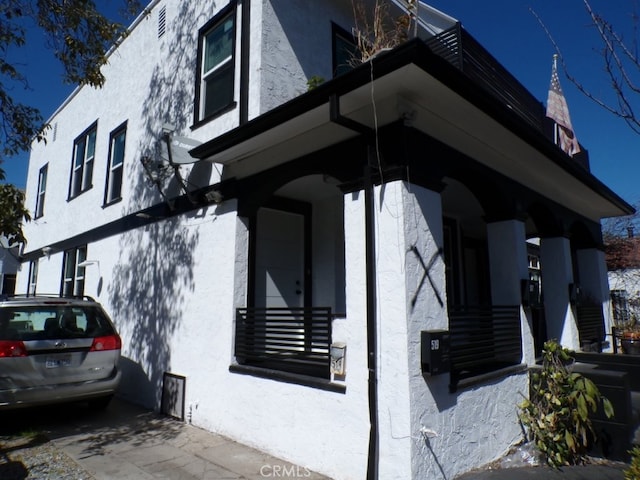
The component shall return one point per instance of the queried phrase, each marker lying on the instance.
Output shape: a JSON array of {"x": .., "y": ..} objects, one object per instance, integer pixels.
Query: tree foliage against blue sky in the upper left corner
[{"x": 79, "y": 36}]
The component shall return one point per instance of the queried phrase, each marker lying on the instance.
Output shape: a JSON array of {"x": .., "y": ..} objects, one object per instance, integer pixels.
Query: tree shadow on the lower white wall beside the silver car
[{"x": 151, "y": 284}]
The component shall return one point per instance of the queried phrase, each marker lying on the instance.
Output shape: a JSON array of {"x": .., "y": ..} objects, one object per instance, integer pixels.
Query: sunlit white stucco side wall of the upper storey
[{"x": 150, "y": 84}]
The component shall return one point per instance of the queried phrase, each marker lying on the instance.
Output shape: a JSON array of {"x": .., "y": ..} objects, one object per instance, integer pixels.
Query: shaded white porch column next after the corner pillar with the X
[{"x": 508, "y": 266}]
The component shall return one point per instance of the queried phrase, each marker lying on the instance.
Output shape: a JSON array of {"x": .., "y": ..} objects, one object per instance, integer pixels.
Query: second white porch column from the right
[{"x": 557, "y": 275}]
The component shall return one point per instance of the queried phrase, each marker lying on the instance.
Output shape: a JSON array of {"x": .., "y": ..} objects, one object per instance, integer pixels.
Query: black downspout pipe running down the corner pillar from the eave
[{"x": 370, "y": 256}]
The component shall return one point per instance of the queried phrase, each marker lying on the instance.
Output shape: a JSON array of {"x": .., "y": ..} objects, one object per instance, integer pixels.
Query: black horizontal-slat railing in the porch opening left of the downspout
[{"x": 294, "y": 340}]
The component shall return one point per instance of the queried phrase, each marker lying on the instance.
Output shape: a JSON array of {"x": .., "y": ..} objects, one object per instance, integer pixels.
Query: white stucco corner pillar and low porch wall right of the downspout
[{"x": 445, "y": 433}]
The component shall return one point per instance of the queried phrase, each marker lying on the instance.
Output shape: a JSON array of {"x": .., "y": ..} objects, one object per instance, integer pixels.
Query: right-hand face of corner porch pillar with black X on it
[{"x": 422, "y": 269}]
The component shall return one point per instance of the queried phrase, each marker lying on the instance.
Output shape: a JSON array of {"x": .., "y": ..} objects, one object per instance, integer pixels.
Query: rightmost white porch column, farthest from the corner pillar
[{"x": 594, "y": 281}]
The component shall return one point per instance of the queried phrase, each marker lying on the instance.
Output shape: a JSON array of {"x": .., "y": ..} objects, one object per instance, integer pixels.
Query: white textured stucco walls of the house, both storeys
[{"x": 172, "y": 286}]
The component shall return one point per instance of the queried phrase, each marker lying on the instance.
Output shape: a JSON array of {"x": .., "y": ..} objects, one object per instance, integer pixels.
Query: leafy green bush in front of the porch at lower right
[{"x": 556, "y": 415}]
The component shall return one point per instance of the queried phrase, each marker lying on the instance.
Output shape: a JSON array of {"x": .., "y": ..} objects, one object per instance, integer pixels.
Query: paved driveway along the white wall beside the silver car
[{"x": 126, "y": 442}]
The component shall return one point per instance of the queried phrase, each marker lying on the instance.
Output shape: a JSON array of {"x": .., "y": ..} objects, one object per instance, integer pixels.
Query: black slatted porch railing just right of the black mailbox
[{"x": 483, "y": 339}]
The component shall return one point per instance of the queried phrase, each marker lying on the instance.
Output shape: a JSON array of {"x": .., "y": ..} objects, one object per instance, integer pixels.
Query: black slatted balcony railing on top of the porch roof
[{"x": 460, "y": 49}]
